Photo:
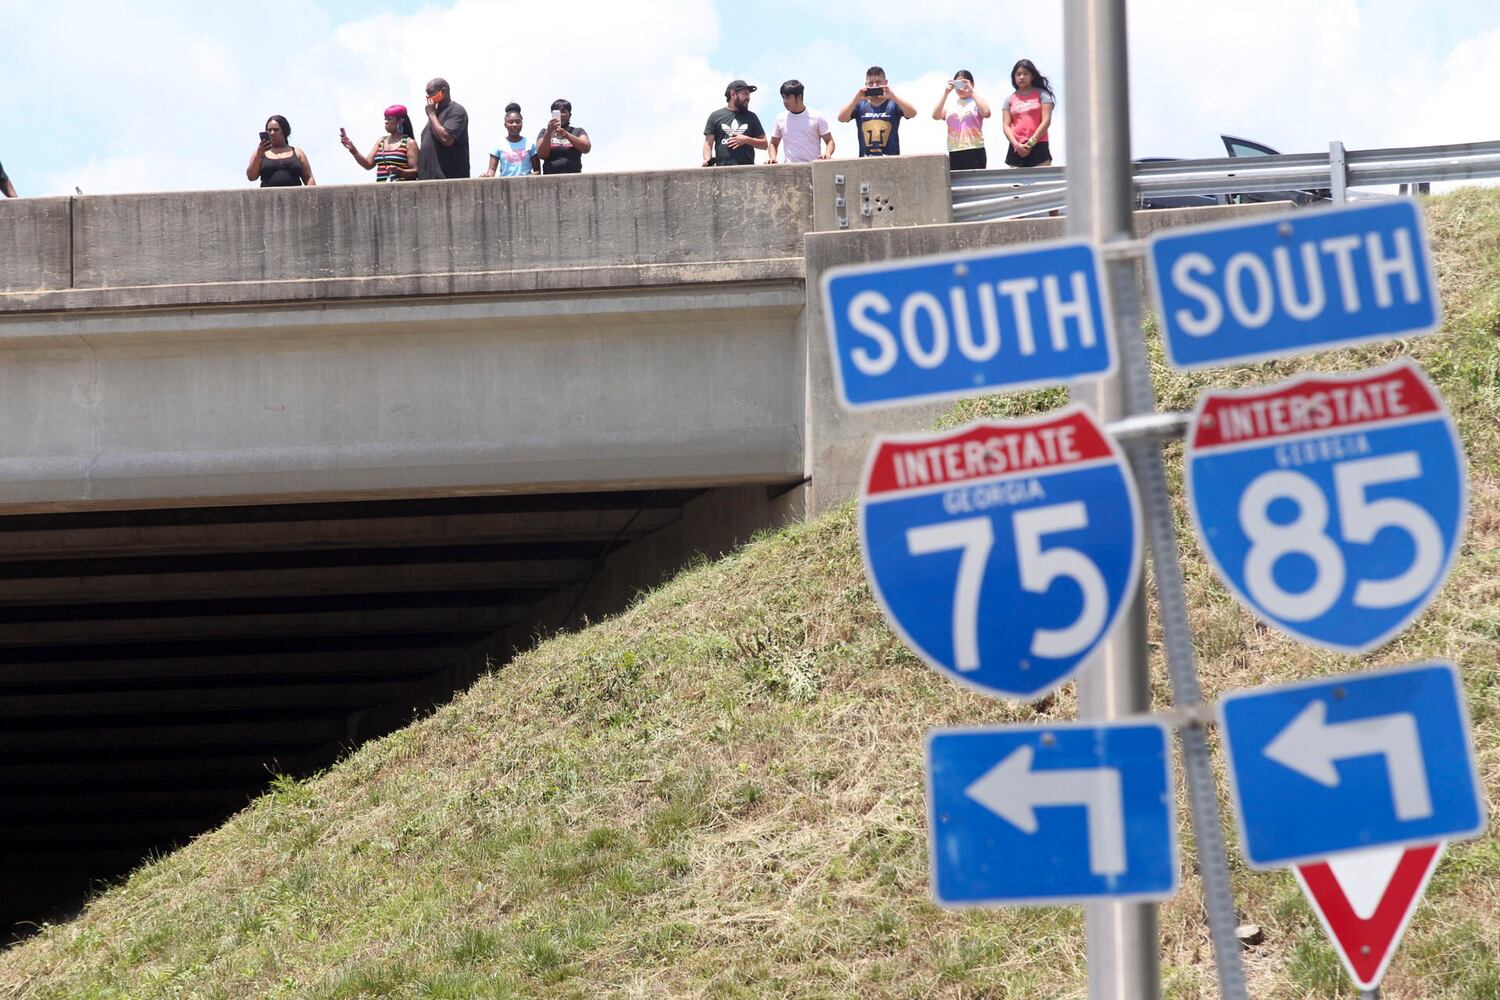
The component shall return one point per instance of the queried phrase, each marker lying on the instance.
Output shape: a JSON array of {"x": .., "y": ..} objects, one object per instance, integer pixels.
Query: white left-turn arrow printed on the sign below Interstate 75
[{"x": 1012, "y": 791}]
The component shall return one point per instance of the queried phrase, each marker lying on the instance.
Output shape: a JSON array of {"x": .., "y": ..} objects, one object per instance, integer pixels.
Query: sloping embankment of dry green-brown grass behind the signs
[{"x": 719, "y": 794}]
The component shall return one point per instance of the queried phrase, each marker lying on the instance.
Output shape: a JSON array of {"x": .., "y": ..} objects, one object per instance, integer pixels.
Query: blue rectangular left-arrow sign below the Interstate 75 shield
[{"x": 1046, "y": 815}]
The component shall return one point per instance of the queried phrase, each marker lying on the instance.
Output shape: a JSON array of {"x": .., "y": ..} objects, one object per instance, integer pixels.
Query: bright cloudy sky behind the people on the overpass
[{"x": 164, "y": 95}]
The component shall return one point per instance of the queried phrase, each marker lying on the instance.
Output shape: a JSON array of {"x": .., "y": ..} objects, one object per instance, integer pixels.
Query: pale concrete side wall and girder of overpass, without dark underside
[{"x": 589, "y": 332}]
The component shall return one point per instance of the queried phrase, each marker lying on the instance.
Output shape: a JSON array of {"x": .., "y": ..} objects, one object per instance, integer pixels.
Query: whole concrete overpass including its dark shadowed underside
[{"x": 280, "y": 469}]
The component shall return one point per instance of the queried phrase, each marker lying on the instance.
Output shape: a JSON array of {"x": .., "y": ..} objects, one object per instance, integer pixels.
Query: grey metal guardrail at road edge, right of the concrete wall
[{"x": 1012, "y": 194}]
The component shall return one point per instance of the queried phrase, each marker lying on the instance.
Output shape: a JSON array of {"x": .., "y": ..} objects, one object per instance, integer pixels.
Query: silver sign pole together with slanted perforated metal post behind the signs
[{"x": 1123, "y": 938}]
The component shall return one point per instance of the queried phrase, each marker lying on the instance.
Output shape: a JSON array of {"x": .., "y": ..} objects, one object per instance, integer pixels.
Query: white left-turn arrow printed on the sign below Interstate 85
[{"x": 1310, "y": 746}]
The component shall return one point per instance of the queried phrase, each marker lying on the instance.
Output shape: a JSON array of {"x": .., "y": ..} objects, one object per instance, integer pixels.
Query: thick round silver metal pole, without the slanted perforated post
[{"x": 1121, "y": 938}]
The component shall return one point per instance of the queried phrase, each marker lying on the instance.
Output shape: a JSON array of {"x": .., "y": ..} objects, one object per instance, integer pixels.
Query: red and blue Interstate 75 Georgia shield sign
[{"x": 1003, "y": 552}]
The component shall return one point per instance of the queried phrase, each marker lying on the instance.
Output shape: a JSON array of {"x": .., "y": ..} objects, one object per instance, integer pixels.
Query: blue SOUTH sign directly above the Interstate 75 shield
[{"x": 967, "y": 323}]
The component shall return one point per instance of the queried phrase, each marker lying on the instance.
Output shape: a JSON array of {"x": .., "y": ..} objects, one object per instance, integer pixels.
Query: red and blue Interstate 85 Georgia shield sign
[{"x": 1331, "y": 506}]
